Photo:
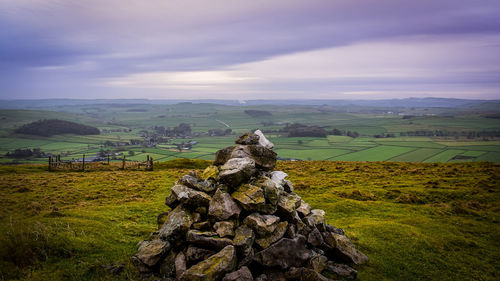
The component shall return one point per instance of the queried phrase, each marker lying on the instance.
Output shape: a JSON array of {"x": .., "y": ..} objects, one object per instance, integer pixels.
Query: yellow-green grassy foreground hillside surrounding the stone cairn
[{"x": 415, "y": 221}]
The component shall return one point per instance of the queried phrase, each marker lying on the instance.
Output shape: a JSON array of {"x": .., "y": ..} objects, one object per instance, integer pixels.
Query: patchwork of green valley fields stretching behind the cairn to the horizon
[{"x": 128, "y": 121}]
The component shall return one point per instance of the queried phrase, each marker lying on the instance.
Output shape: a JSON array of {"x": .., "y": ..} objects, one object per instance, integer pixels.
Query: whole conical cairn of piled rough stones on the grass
[{"x": 239, "y": 220}]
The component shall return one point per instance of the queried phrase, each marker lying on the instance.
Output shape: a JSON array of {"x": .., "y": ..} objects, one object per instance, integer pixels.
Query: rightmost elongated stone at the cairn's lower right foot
[{"x": 343, "y": 249}]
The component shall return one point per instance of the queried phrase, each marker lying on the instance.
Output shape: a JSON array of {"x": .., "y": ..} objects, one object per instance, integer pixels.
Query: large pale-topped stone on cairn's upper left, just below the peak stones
[{"x": 237, "y": 170}]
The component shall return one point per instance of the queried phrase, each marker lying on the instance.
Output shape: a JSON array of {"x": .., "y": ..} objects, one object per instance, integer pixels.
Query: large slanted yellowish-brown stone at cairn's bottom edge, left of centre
[{"x": 214, "y": 267}]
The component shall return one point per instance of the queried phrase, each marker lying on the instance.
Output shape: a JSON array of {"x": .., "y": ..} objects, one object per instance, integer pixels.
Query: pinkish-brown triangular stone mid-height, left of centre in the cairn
[{"x": 223, "y": 207}]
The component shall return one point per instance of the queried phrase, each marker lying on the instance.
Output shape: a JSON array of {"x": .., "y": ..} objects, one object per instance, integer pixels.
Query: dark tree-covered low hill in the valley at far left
[{"x": 49, "y": 127}]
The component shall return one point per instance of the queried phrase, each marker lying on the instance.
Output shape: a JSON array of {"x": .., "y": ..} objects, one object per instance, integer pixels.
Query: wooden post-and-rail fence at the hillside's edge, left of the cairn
[{"x": 55, "y": 163}]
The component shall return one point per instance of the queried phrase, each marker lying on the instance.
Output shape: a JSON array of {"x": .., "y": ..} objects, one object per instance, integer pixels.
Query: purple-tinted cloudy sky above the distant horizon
[{"x": 243, "y": 50}]
